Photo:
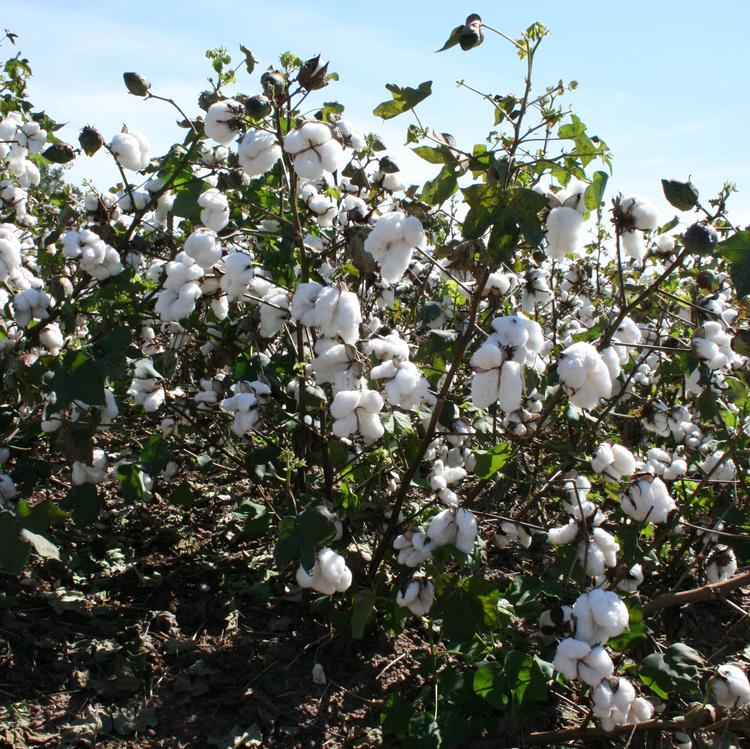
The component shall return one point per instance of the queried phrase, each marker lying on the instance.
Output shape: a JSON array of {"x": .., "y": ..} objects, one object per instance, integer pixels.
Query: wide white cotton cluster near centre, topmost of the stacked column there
[{"x": 332, "y": 309}]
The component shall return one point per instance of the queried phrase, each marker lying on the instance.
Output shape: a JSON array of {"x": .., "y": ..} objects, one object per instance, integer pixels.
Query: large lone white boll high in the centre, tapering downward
[{"x": 392, "y": 242}]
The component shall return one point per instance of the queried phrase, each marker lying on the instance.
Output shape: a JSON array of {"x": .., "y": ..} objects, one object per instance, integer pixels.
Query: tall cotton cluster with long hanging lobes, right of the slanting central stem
[{"x": 498, "y": 363}]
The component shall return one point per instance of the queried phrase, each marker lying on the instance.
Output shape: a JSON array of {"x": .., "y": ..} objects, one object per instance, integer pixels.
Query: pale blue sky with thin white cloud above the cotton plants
[{"x": 663, "y": 82}]
